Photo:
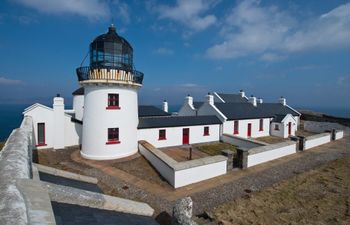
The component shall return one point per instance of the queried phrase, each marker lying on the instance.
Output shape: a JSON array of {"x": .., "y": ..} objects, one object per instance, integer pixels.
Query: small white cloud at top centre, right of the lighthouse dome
[{"x": 189, "y": 13}]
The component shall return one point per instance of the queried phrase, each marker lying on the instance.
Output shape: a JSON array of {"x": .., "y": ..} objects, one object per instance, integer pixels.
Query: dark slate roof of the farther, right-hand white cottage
[{"x": 247, "y": 111}]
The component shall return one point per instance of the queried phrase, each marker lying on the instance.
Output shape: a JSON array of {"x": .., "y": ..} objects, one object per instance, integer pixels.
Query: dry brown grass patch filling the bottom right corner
[{"x": 320, "y": 196}]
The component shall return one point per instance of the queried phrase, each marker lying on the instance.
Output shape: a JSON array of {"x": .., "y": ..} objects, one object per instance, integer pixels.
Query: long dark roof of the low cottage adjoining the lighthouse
[{"x": 176, "y": 121}]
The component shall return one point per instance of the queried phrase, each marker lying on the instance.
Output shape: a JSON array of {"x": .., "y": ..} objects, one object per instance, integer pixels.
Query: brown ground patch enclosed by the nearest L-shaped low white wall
[{"x": 183, "y": 154}]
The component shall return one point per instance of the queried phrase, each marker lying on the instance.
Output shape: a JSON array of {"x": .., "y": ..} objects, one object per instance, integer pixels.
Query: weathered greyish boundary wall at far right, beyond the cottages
[{"x": 319, "y": 127}]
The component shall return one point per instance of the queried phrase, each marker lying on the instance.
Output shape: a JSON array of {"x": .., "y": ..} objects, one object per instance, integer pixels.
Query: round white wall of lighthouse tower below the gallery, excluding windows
[{"x": 97, "y": 120}]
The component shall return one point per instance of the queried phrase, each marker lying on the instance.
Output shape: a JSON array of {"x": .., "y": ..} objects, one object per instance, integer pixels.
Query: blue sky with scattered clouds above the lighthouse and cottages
[{"x": 295, "y": 48}]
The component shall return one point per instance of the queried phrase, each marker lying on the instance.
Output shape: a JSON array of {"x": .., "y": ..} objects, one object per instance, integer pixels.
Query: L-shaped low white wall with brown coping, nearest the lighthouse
[{"x": 180, "y": 174}]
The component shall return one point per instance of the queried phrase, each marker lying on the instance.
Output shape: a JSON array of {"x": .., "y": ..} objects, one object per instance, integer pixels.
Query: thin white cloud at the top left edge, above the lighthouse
[{"x": 92, "y": 9}]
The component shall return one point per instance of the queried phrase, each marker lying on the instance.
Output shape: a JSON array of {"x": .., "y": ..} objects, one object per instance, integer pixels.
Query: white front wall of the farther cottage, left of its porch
[{"x": 228, "y": 128}]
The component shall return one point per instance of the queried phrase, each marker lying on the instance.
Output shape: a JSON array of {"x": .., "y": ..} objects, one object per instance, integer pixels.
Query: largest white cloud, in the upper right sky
[{"x": 254, "y": 29}]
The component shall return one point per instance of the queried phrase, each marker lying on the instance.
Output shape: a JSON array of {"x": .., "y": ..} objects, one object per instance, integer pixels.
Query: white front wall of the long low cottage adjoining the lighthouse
[{"x": 174, "y": 135}]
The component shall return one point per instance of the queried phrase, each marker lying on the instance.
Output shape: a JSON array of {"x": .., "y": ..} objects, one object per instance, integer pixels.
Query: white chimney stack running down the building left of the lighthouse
[{"x": 58, "y": 112}]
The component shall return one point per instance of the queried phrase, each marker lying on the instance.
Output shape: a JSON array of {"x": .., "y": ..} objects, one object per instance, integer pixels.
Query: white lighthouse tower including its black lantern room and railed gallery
[{"x": 110, "y": 99}]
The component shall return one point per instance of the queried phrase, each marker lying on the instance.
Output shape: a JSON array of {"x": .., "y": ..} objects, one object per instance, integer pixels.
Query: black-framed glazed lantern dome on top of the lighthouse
[{"x": 110, "y": 50}]
